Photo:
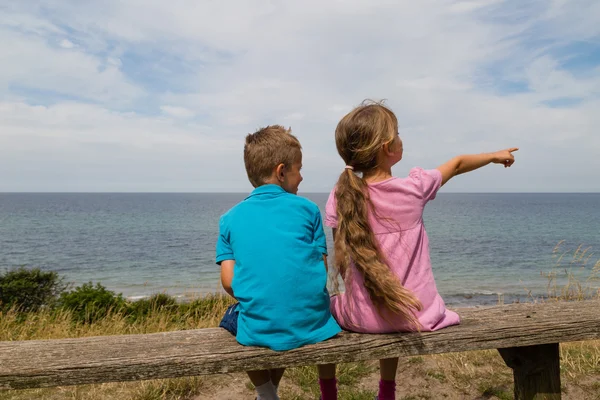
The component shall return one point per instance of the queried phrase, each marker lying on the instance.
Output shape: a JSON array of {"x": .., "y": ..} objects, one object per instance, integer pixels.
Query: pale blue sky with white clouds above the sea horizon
[{"x": 157, "y": 96}]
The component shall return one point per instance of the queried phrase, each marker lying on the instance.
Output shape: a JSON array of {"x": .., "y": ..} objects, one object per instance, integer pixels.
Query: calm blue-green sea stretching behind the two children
[{"x": 482, "y": 245}]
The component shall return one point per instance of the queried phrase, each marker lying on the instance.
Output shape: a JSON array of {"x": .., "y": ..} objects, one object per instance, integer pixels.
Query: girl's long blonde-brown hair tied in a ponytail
[{"x": 359, "y": 137}]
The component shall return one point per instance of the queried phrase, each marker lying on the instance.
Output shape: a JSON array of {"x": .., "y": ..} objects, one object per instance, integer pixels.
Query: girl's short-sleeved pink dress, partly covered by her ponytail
[{"x": 399, "y": 229}]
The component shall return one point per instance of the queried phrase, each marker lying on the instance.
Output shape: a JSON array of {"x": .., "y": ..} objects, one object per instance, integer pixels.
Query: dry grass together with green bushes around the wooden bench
[{"x": 36, "y": 304}]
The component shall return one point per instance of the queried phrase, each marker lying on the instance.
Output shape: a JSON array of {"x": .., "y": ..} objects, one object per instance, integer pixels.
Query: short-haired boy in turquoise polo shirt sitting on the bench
[{"x": 272, "y": 252}]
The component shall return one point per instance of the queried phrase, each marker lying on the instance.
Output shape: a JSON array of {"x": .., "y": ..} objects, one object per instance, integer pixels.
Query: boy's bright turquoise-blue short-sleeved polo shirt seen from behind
[{"x": 277, "y": 241}]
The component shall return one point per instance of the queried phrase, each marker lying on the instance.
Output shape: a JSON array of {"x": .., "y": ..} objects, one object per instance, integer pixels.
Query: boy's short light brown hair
[{"x": 268, "y": 147}]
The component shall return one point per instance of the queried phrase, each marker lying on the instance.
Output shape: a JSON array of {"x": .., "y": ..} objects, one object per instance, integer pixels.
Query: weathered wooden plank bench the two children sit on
[{"x": 527, "y": 336}]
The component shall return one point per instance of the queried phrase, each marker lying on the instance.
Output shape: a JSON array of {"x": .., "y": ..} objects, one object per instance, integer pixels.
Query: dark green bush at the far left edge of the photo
[{"x": 29, "y": 289}]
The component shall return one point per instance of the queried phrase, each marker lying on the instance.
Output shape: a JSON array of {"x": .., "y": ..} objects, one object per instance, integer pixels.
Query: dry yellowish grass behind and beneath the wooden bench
[{"x": 481, "y": 374}]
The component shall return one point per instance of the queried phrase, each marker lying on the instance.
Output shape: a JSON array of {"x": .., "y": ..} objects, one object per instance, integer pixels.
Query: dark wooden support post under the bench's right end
[{"x": 536, "y": 371}]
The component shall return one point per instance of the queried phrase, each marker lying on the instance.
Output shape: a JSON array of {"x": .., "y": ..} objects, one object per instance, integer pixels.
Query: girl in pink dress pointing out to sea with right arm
[{"x": 381, "y": 247}]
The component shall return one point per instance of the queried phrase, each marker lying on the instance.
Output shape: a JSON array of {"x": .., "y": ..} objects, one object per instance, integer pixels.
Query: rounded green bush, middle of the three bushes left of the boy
[{"x": 90, "y": 303}]
